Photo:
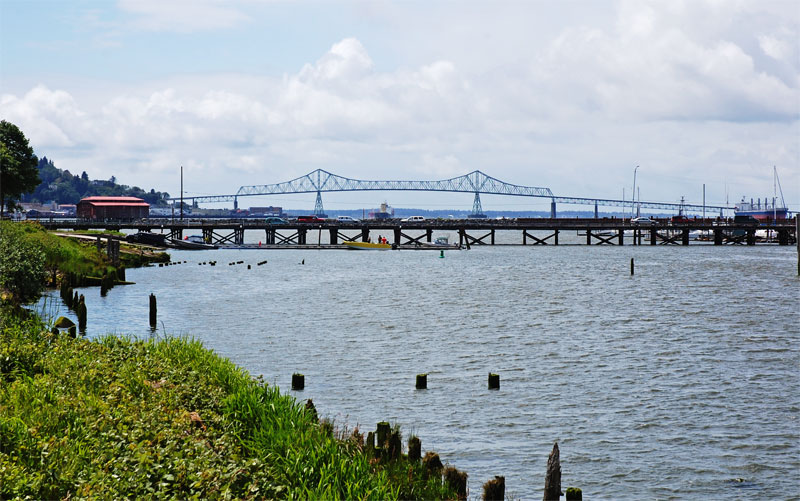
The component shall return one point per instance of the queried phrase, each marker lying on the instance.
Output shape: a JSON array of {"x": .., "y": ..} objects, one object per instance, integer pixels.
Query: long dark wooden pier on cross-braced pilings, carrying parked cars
[{"x": 471, "y": 232}]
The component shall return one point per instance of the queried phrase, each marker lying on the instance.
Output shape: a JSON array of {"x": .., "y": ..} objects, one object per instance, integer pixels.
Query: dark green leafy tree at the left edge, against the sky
[{"x": 18, "y": 173}]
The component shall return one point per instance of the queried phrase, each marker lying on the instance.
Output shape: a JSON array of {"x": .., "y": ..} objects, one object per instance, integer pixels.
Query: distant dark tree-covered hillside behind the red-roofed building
[{"x": 64, "y": 187}]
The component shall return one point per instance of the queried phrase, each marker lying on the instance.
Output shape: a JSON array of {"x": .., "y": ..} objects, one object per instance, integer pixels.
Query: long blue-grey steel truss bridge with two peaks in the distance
[{"x": 476, "y": 182}]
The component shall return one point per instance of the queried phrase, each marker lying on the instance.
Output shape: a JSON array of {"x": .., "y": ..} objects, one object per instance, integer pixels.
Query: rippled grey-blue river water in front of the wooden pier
[{"x": 680, "y": 382}]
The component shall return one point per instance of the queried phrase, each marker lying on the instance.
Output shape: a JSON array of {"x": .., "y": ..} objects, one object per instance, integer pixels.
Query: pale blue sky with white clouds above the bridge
[{"x": 569, "y": 95}]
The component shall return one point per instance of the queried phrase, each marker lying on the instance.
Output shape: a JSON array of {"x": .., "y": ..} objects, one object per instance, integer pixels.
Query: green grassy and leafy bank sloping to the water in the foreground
[{"x": 119, "y": 417}]
